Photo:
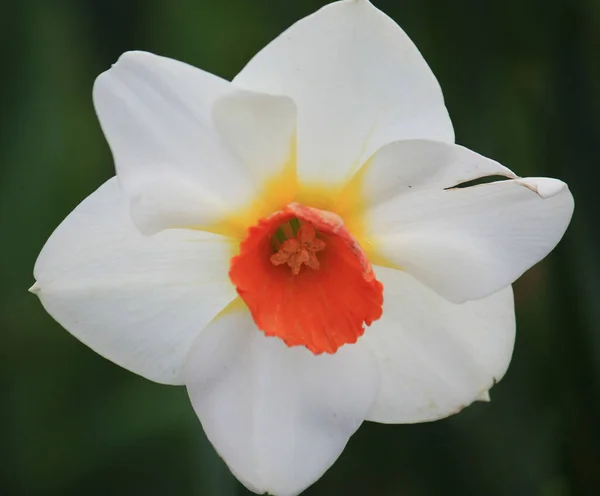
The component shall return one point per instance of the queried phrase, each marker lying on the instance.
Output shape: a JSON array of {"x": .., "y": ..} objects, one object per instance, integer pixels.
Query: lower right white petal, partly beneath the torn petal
[{"x": 436, "y": 357}]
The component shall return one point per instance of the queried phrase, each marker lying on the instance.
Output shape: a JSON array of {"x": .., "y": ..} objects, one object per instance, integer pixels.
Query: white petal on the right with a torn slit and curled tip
[{"x": 465, "y": 243}]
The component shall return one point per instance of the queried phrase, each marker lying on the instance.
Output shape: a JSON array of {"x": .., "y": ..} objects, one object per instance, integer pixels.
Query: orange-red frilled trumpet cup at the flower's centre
[{"x": 313, "y": 288}]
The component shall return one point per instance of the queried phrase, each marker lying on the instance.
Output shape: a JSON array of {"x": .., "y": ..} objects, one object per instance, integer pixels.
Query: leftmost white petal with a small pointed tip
[{"x": 137, "y": 300}]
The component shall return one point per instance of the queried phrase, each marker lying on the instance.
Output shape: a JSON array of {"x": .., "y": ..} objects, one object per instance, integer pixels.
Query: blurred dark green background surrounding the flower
[{"x": 522, "y": 83}]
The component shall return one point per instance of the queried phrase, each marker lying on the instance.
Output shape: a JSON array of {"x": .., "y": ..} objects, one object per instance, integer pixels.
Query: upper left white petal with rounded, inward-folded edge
[{"x": 156, "y": 115}]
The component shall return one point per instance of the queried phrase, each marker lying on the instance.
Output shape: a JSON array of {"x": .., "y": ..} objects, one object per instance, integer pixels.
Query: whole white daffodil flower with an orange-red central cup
[{"x": 281, "y": 204}]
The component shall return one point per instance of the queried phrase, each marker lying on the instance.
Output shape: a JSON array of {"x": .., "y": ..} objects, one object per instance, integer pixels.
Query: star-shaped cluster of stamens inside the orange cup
[{"x": 298, "y": 250}]
